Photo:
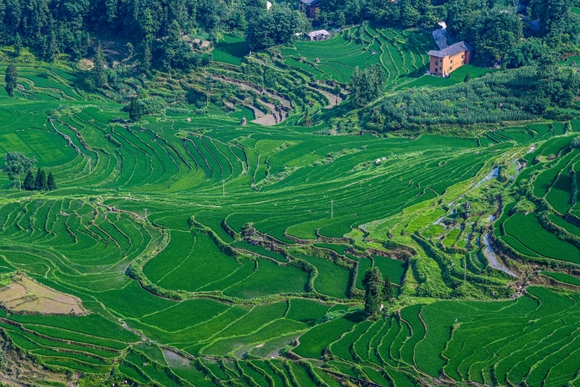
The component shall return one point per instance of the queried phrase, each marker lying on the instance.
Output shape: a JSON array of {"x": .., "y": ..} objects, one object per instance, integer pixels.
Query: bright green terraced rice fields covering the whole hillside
[{"x": 206, "y": 252}]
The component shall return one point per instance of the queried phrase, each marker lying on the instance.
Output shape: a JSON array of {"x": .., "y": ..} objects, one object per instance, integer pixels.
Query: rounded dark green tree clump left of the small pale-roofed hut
[{"x": 274, "y": 27}]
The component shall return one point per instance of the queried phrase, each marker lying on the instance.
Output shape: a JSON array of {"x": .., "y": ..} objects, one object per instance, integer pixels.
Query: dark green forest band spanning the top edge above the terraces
[{"x": 156, "y": 28}]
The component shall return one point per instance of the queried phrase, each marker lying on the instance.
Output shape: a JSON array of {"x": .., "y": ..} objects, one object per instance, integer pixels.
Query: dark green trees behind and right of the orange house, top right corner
[{"x": 496, "y": 32}]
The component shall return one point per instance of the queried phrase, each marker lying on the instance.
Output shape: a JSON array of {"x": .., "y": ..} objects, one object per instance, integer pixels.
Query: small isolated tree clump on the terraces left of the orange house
[{"x": 366, "y": 85}]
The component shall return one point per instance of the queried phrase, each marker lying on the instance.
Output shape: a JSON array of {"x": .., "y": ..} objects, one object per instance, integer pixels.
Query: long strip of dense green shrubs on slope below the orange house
[{"x": 504, "y": 96}]
